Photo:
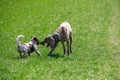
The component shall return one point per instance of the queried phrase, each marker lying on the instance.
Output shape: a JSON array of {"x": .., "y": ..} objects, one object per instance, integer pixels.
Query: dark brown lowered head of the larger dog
[{"x": 49, "y": 40}]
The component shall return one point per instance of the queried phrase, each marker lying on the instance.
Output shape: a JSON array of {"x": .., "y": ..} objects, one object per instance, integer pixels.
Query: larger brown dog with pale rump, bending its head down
[{"x": 62, "y": 34}]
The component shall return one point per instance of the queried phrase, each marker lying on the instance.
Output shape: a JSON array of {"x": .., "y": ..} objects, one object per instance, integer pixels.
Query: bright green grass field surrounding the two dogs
[{"x": 96, "y": 39}]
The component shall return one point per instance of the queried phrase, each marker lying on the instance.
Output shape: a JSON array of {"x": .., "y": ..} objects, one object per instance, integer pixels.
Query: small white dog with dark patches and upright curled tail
[{"x": 27, "y": 48}]
